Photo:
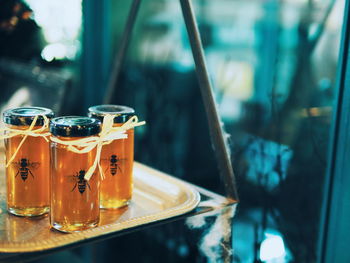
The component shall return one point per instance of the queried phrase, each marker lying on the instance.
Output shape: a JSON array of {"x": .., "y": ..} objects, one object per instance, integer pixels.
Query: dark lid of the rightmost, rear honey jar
[{"x": 122, "y": 113}]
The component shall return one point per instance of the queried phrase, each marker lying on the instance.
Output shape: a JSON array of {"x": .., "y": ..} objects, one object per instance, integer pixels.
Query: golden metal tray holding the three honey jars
[{"x": 156, "y": 197}]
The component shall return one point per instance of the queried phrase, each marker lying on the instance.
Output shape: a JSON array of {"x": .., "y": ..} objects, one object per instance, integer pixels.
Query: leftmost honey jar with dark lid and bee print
[{"x": 27, "y": 175}]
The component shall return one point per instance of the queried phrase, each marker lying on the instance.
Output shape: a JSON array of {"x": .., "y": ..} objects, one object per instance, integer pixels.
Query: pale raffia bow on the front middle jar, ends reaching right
[{"x": 108, "y": 134}]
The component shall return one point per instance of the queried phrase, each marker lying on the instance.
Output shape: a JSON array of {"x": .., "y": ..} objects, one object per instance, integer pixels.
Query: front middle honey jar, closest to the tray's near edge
[{"x": 74, "y": 200}]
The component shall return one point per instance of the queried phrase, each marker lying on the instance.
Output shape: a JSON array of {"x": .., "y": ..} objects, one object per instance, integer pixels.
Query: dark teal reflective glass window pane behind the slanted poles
[{"x": 273, "y": 66}]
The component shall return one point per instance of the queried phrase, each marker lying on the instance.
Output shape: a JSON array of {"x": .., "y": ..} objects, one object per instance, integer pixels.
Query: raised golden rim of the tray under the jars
[{"x": 101, "y": 231}]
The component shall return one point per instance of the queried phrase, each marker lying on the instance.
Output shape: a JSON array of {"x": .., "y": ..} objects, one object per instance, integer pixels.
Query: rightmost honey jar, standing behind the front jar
[{"x": 116, "y": 159}]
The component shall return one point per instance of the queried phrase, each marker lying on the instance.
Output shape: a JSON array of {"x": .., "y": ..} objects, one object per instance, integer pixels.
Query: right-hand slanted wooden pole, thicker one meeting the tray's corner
[{"x": 216, "y": 130}]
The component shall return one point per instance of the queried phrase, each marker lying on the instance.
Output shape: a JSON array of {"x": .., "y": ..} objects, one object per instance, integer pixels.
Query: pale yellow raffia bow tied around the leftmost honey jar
[{"x": 8, "y": 132}]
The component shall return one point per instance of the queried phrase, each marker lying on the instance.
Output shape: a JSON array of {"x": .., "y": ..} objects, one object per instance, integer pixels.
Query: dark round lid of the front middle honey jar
[{"x": 75, "y": 126}]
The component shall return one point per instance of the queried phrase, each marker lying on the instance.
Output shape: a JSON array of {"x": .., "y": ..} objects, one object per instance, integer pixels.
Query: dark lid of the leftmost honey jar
[{"x": 24, "y": 116}]
